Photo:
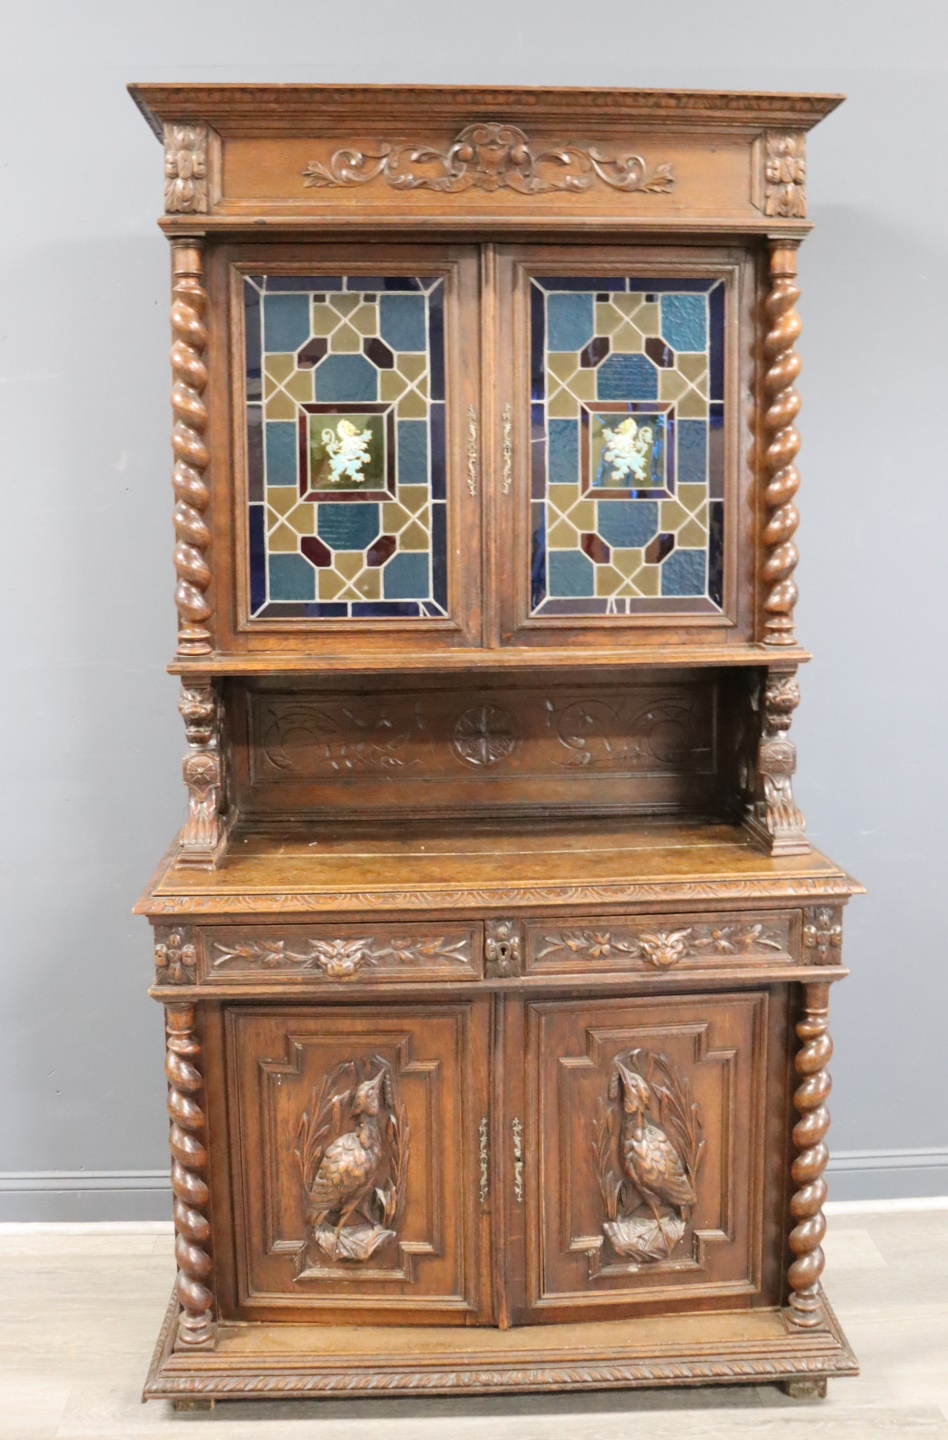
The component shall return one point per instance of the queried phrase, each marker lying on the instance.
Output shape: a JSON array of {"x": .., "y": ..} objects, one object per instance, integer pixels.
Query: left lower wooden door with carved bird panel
[{"x": 354, "y": 1134}]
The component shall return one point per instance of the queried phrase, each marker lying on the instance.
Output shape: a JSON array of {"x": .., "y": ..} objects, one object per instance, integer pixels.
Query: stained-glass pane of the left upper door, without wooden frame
[{"x": 346, "y": 447}]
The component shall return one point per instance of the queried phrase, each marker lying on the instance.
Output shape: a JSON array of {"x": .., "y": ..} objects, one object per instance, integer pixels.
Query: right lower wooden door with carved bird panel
[{"x": 649, "y": 1169}]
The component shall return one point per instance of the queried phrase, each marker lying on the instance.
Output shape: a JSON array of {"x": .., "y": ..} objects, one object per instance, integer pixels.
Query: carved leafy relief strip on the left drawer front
[{"x": 342, "y": 960}]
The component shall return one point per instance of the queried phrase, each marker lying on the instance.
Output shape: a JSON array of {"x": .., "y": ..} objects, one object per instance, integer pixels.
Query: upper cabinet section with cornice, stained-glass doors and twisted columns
[{"x": 483, "y": 378}]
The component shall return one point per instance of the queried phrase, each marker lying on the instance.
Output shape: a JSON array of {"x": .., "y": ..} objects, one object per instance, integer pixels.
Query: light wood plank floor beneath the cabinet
[{"x": 80, "y": 1314}]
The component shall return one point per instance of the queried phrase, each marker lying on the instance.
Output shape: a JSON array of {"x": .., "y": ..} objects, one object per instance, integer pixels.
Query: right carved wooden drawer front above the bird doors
[{"x": 590, "y": 945}]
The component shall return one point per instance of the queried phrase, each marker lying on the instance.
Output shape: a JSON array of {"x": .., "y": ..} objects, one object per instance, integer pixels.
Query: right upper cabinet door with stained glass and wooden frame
[{"x": 620, "y": 391}]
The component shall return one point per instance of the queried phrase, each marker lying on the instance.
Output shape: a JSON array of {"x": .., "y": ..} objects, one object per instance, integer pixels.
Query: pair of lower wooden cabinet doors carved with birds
[{"x": 504, "y": 1160}]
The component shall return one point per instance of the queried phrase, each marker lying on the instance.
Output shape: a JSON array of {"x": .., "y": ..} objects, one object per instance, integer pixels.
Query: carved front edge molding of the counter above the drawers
[{"x": 805, "y": 888}]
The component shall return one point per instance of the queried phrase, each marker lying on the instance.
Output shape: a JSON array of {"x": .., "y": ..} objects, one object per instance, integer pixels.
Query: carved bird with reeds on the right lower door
[{"x": 648, "y": 1148}]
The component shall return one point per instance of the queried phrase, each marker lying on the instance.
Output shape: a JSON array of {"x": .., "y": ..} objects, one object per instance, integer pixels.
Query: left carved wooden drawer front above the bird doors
[{"x": 336, "y": 955}]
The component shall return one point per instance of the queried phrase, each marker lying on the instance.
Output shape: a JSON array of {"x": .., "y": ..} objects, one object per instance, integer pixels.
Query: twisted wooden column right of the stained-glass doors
[{"x": 783, "y": 444}]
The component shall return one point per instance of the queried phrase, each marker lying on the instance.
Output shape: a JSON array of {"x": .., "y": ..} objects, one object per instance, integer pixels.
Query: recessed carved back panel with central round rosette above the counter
[{"x": 643, "y": 745}]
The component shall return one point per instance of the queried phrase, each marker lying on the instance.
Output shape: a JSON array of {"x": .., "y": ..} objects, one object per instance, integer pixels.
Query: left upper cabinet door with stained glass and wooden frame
[{"x": 354, "y": 381}]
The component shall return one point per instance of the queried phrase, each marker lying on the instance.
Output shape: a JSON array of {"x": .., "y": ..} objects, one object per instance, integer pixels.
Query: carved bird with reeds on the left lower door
[{"x": 352, "y": 1156}]
